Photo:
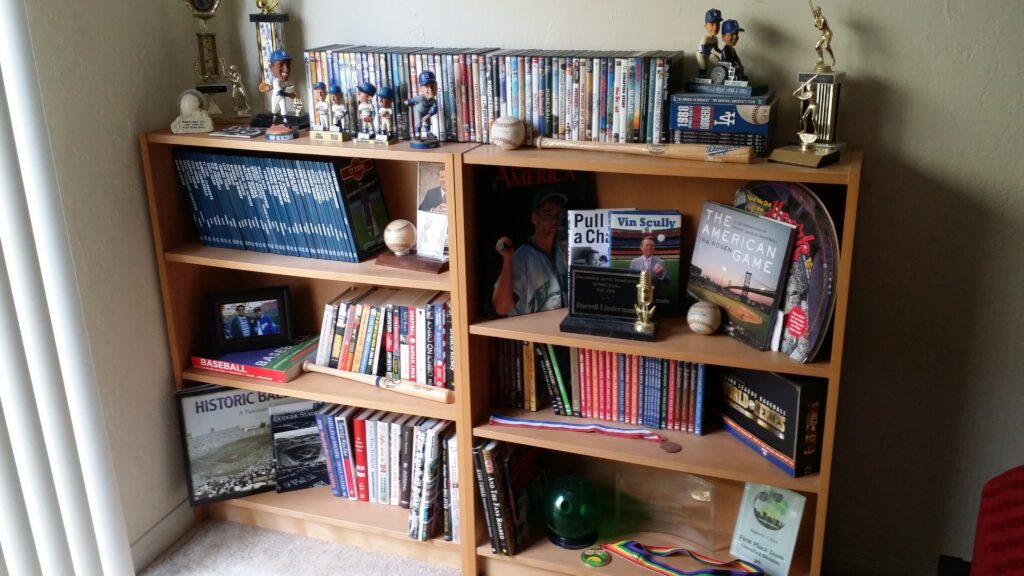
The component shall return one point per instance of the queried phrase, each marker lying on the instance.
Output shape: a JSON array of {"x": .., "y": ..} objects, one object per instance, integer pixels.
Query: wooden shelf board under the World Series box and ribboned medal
[{"x": 715, "y": 456}]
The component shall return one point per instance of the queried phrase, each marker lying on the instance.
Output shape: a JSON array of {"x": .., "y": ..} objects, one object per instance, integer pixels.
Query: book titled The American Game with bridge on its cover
[{"x": 740, "y": 263}]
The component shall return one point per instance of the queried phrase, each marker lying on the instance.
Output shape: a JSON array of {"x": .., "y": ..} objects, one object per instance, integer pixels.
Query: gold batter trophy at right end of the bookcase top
[{"x": 819, "y": 94}]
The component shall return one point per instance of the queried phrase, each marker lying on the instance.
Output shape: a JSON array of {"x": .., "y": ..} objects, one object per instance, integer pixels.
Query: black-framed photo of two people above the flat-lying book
[{"x": 250, "y": 319}]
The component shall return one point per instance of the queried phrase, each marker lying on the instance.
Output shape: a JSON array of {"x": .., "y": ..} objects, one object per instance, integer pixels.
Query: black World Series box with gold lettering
[{"x": 781, "y": 417}]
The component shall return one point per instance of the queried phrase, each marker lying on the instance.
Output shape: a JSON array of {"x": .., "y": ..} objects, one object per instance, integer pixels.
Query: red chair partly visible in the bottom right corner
[{"x": 999, "y": 541}]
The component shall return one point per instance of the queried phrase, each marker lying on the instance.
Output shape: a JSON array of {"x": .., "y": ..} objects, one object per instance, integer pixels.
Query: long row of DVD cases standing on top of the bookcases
[{"x": 567, "y": 95}]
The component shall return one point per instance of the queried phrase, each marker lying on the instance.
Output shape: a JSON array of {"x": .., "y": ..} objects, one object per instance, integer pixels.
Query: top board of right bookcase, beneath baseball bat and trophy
[{"x": 839, "y": 174}]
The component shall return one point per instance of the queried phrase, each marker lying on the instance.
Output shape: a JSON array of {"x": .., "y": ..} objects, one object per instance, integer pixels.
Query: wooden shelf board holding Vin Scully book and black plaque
[{"x": 675, "y": 342}]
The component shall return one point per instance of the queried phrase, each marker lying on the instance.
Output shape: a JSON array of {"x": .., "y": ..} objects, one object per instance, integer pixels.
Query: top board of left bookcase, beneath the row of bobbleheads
[{"x": 304, "y": 145}]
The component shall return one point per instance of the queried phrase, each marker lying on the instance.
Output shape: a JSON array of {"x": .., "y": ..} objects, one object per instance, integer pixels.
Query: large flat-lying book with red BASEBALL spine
[{"x": 277, "y": 364}]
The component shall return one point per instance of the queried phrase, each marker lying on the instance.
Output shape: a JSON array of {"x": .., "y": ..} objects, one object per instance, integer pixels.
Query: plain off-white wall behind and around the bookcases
[{"x": 931, "y": 397}]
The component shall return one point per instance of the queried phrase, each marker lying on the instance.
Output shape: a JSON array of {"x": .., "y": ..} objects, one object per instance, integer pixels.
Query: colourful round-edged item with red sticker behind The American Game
[{"x": 810, "y": 289}]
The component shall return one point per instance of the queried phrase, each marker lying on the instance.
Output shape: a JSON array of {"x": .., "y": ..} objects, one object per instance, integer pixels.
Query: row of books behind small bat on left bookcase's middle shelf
[{"x": 397, "y": 333}]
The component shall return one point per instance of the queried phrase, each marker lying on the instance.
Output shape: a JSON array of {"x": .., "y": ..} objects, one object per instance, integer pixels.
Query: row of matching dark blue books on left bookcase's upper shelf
[{"x": 313, "y": 209}]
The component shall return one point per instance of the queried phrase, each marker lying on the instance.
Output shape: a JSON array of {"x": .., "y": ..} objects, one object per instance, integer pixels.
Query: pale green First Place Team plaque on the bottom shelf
[{"x": 767, "y": 527}]
